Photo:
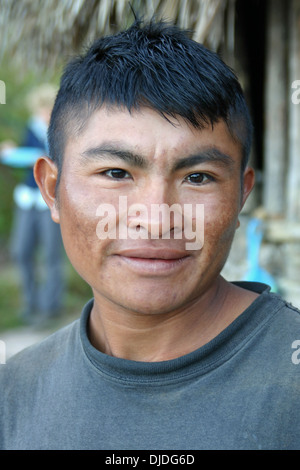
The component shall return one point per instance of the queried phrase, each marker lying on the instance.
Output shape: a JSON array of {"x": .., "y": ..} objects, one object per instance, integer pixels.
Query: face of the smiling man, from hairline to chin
[{"x": 145, "y": 159}]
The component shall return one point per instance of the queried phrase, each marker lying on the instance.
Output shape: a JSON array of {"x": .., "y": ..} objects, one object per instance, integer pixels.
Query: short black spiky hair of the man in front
[{"x": 152, "y": 64}]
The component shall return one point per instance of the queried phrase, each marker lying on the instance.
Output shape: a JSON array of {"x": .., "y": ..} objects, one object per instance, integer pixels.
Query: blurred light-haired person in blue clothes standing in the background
[{"x": 33, "y": 229}]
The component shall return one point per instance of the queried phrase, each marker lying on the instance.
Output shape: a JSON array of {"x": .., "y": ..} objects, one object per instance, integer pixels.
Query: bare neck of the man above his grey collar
[{"x": 160, "y": 337}]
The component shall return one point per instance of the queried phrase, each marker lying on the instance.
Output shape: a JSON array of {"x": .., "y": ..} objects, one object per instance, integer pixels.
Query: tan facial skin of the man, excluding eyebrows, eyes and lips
[{"x": 115, "y": 285}]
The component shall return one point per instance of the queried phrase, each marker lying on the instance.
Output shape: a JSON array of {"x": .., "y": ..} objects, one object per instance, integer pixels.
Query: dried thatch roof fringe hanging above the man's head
[{"x": 40, "y": 33}]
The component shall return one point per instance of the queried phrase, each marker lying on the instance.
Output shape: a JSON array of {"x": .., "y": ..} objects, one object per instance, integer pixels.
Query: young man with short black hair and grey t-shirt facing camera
[{"x": 167, "y": 354}]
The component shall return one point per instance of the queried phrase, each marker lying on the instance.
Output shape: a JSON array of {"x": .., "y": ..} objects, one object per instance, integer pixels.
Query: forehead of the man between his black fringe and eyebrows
[{"x": 110, "y": 129}]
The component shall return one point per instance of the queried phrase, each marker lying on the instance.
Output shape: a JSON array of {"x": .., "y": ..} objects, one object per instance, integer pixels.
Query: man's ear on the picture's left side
[{"x": 45, "y": 173}]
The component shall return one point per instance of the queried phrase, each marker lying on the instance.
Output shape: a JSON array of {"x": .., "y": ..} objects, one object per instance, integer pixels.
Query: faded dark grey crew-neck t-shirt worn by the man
[{"x": 239, "y": 391}]
